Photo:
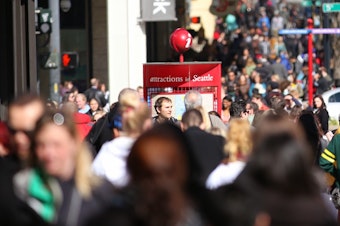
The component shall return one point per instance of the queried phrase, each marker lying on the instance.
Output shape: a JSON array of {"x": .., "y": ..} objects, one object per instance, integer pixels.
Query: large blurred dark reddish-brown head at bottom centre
[{"x": 160, "y": 156}]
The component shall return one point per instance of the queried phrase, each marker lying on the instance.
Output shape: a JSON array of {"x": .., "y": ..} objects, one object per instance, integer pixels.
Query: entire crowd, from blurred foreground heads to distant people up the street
[{"x": 267, "y": 159}]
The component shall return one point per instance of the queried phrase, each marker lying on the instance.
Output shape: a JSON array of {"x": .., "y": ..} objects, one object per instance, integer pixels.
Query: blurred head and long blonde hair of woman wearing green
[{"x": 60, "y": 152}]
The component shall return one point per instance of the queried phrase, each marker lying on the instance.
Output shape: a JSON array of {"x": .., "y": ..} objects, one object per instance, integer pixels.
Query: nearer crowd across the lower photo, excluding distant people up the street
[{"x": 264, "y": 166}]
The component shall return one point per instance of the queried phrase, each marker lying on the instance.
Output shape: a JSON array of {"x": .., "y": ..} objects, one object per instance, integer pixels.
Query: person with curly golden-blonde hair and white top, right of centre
[{"x": 237, "y": 150}]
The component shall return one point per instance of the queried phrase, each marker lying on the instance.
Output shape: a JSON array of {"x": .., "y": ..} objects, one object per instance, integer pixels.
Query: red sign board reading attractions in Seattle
[{"x": 180, "y": 77}]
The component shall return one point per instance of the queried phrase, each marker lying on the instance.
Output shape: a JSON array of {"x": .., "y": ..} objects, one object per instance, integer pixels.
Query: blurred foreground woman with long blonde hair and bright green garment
[{"x": 59, "y": 186}]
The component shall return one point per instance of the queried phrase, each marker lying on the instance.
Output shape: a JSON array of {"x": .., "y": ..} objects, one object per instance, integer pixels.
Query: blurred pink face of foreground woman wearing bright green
[{"x": 56, "y": 150}]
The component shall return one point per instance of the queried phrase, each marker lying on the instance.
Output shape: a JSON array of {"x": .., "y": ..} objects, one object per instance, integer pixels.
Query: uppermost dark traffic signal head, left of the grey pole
[{"x": 43, "y": 21}]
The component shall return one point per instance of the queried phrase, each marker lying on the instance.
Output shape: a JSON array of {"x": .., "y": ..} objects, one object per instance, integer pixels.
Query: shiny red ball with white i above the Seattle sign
[{"x": 180, "y": 40}]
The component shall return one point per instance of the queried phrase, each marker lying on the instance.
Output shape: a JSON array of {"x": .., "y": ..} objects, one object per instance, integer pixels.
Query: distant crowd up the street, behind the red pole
[{"x": 256, "y": 59}]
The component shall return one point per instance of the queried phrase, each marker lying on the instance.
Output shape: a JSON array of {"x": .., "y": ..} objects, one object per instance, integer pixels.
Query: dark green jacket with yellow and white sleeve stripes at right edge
[{"x": 328, "y": 160}]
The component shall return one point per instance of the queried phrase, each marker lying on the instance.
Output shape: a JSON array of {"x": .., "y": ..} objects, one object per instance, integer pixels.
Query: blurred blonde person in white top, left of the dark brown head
[{"x": 110, "y": 162}]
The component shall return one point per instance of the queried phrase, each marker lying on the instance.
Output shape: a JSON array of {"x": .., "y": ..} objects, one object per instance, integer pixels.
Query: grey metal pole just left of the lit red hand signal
[{"x": 55, "y": 50}]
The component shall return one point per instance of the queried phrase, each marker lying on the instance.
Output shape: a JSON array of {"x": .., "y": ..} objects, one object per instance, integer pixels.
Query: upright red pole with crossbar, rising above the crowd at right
[{"x": 310, "y": 63}]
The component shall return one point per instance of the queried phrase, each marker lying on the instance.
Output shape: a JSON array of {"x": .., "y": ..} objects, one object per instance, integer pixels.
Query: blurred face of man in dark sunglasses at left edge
[{"x": 21, "y": 121}]
